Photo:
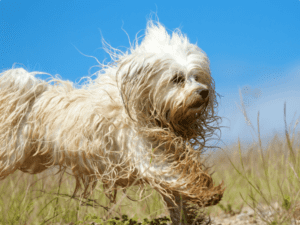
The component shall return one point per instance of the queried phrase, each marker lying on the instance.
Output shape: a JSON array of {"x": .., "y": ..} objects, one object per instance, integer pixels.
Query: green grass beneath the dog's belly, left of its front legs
[{"x": 35, "y": 199}]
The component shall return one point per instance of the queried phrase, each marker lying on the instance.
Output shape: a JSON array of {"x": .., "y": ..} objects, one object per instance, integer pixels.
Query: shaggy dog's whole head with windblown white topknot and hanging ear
[{"x": 165, "y": 82}]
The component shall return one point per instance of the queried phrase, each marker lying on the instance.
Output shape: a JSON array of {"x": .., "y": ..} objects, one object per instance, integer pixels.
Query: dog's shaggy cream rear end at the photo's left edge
[{"x": 18, "y": 91}]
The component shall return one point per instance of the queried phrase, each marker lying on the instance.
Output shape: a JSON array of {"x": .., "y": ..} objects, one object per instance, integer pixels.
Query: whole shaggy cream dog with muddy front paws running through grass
[{"x": 145, "y": 119}]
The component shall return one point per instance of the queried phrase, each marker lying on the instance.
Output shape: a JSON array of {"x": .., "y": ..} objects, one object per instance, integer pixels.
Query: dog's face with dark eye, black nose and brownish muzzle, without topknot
[{"x": 182, "y": 98}]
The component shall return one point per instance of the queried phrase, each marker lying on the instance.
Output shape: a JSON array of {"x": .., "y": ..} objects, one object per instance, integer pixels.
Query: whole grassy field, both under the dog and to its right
[{"x": 252, "y": 176}]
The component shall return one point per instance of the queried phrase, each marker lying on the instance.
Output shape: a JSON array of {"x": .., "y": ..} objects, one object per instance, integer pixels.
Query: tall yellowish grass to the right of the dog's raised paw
[{"x": 258, "y": 175}]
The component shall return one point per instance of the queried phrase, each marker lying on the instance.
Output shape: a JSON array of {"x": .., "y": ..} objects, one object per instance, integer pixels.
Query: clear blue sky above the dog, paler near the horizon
[{"x": 253, "y": 46}]
